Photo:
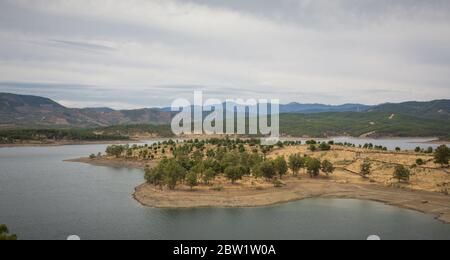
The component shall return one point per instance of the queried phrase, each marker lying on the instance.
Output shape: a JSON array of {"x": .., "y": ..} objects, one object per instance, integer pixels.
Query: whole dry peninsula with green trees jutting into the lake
[{"x": 224, "y": 172}]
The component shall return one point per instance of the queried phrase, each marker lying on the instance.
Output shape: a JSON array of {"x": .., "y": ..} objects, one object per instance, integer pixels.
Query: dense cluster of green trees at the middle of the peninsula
[{"x": 194, "y": 163}]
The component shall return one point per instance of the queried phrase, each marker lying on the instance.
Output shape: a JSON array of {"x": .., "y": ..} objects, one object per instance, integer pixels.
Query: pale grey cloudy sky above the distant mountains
[{"x": 145, "y": 53}]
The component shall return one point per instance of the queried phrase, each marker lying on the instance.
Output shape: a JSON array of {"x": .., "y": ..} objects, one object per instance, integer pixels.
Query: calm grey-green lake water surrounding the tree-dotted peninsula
[{"x": 42, "y": 197}]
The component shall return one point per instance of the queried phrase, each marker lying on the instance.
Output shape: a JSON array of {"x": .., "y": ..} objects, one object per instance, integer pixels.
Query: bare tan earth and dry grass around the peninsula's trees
[{"x": 423, "y": 193}]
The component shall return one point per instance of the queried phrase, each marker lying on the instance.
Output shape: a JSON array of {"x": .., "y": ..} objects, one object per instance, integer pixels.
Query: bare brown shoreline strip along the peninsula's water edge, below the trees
[{"x": 237, "y": 196}]
